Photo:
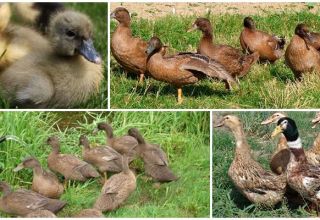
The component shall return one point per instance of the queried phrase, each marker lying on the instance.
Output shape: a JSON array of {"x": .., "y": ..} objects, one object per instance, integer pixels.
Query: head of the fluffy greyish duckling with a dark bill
[{"x": 71, "y": 35}]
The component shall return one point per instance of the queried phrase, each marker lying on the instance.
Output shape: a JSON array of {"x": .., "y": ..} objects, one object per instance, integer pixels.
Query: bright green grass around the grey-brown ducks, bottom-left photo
[{"x": 184, "y": 136}]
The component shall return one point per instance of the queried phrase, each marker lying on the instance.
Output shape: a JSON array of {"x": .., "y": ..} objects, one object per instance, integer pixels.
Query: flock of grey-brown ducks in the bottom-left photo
[{"x": 114, "y": 156}]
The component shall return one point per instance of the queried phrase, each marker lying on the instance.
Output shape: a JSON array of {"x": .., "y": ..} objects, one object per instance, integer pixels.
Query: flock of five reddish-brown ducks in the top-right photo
[{"x": 212, "y": 60}]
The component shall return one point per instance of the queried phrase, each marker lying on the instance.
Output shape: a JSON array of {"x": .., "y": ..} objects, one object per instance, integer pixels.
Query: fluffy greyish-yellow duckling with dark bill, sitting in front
[{"x": 65, "y": 76}]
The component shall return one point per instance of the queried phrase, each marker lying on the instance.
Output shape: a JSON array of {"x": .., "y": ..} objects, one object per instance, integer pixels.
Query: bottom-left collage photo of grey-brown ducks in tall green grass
[{"x": 125, "y": 164}]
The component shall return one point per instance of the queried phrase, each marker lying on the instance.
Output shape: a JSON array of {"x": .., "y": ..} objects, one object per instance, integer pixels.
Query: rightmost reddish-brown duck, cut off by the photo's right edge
[{"x": 300, "y": 55}]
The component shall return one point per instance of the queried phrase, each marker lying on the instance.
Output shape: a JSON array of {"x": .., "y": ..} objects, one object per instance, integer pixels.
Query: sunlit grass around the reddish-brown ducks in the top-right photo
[{"x": 265, "y": 86}]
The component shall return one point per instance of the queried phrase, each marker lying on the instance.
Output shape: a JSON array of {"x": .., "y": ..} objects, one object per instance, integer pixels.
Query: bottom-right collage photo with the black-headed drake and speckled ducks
[{"x": 265, "y": 164}]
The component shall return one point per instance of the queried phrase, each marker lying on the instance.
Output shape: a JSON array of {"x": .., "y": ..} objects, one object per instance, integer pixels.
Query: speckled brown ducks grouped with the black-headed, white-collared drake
[{"x": 294, "y": 170}]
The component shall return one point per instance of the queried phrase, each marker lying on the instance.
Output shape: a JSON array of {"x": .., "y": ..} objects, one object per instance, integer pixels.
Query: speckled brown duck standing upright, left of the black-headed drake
[{"x": 250, "y": 178}]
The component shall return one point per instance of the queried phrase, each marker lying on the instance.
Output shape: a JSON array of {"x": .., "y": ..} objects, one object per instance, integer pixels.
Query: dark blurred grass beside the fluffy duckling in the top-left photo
[{"x": 97, "y": 12}]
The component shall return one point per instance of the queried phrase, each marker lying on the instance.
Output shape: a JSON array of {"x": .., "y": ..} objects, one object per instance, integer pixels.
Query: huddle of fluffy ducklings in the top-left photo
[{"x": 54, "y": 64}]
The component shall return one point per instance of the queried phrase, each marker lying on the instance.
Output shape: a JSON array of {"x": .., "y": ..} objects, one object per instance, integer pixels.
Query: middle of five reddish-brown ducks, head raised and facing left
[{"x": 231, "y": 58}]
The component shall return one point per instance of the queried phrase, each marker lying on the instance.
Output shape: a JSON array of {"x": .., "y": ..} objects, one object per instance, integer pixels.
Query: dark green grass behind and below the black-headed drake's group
[{"x": 227, "y": 201}]
